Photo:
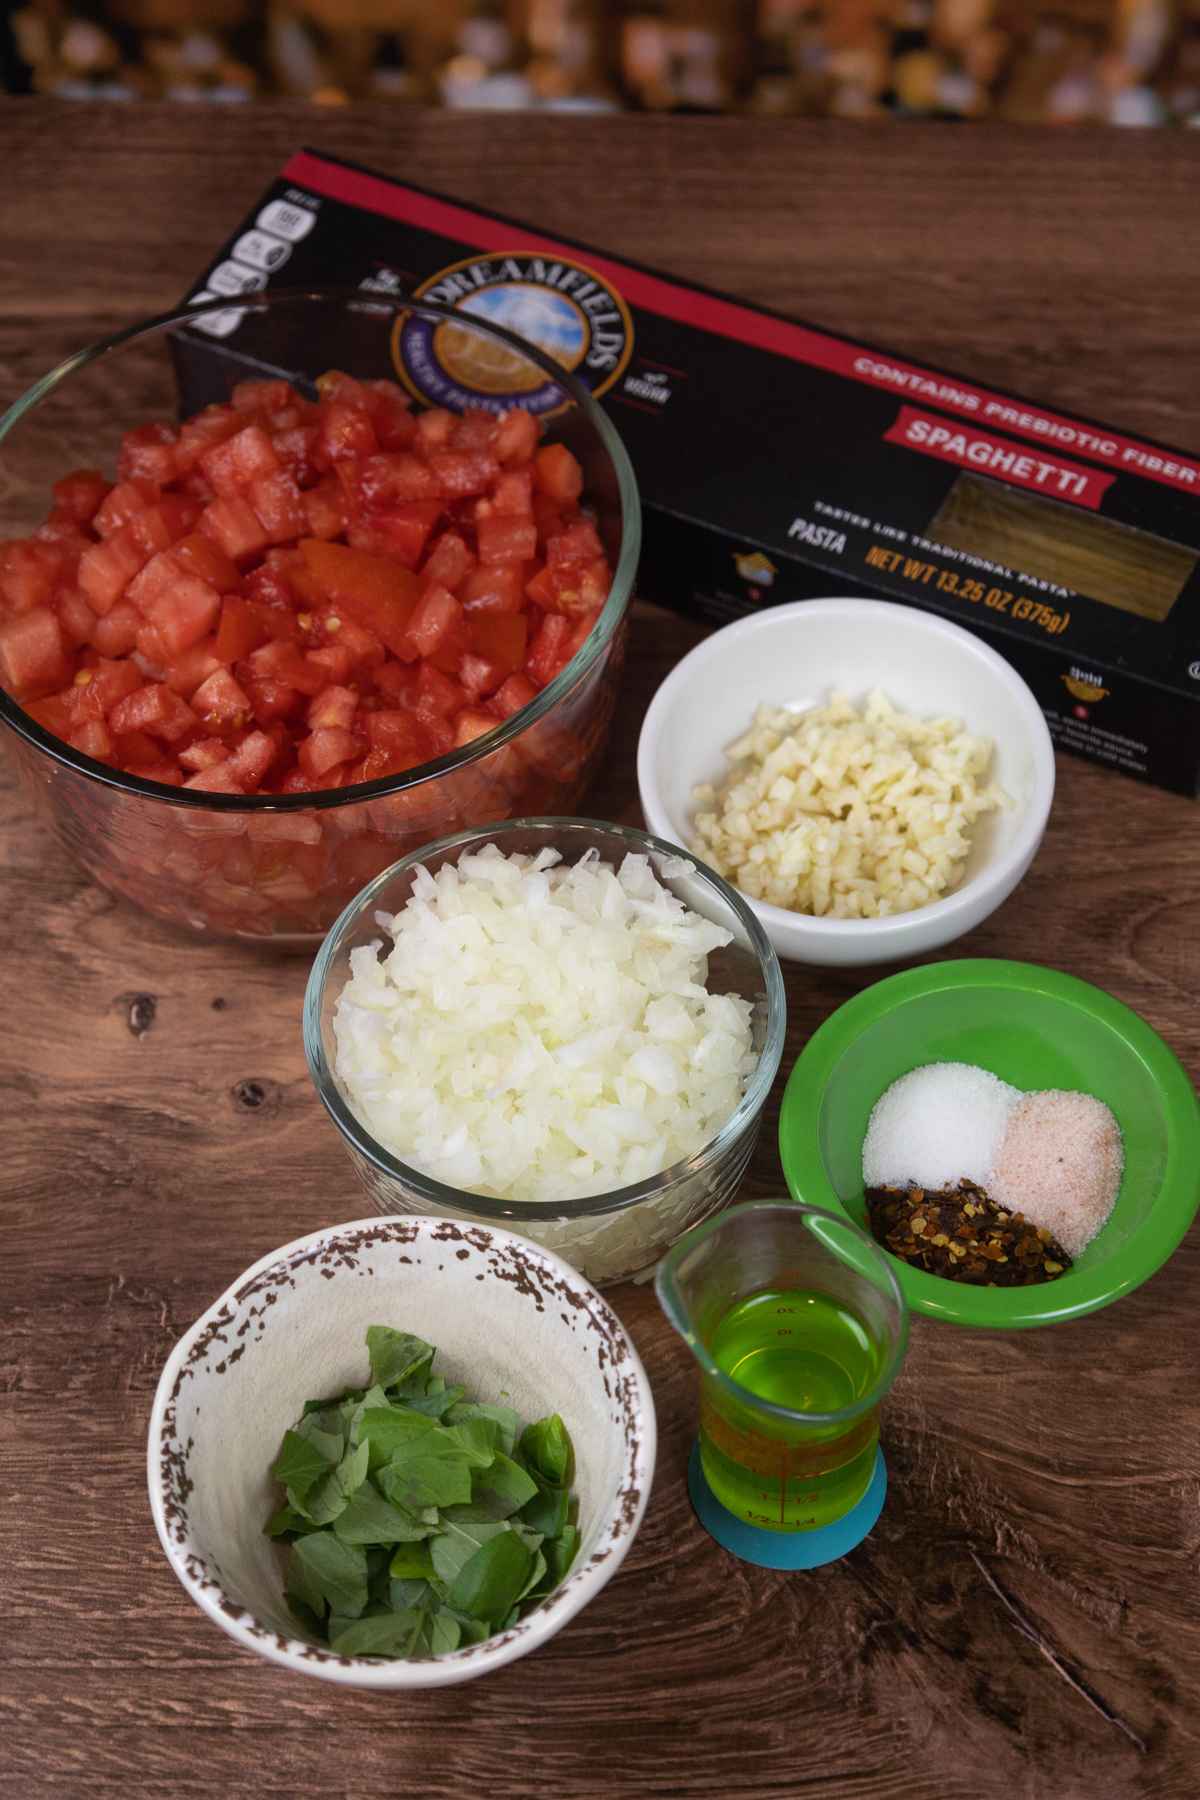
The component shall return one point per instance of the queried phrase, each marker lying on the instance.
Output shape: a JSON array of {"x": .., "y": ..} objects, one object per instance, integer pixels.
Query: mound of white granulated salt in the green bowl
[{"x": 936, "y": 1128}]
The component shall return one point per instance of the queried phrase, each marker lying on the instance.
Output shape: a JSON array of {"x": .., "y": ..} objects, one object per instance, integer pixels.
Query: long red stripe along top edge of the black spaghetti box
[{"x": 710, "y": 312}]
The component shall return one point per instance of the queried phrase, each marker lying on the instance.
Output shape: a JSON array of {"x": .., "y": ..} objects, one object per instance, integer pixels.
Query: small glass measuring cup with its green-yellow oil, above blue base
[{"x": 800, "y": 1329}]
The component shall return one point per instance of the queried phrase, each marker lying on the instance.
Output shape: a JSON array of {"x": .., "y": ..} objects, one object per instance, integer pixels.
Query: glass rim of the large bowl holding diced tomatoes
[{"x": 586, "y": 658}]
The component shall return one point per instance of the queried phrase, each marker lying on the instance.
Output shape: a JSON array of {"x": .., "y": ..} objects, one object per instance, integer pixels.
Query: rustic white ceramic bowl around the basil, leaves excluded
[{"x": 505, "y": 1317}]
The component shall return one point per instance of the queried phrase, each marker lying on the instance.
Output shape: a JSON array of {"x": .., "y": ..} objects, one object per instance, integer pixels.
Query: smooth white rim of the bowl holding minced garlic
[{"x": 940, "y": 917}]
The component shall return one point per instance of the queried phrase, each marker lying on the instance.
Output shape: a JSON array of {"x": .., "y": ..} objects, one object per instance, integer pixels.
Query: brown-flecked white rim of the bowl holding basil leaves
[{"x": 472, "y": 1660}]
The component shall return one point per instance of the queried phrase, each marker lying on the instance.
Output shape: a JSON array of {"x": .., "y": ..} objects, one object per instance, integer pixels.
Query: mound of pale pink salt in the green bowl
[{"x": 1061, "y": 1164}]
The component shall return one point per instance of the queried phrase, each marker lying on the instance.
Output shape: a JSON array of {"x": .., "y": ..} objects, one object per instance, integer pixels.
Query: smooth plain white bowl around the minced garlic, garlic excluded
[{"x": 794, "y": 656}]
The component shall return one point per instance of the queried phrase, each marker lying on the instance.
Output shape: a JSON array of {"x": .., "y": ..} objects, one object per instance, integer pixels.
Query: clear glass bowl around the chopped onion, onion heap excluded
[{"x": 611, "y": 1236}]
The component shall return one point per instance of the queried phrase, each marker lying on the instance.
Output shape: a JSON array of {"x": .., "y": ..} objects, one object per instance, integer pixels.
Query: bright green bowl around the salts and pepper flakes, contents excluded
[{"x": 1035, "y": 1029}]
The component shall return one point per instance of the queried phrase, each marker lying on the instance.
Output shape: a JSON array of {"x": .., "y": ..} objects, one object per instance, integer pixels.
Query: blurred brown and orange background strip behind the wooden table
[{"x": 1080, "y": 62}]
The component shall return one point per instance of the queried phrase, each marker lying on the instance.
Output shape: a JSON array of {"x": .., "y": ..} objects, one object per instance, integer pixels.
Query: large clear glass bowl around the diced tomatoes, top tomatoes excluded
[{"x": 280, "y": 868}]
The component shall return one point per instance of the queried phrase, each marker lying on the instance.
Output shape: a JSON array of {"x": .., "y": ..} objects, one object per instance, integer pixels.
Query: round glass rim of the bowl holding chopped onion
[{"x": 440, "y": 1196}]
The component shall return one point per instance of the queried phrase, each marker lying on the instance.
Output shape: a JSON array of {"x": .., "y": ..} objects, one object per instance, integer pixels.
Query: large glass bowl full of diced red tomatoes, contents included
[{"x": 269, "y": 622}]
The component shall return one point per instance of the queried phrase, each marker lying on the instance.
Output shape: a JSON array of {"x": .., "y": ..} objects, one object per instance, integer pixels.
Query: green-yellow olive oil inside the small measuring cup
[{"x": 810, "y": 1354}]
